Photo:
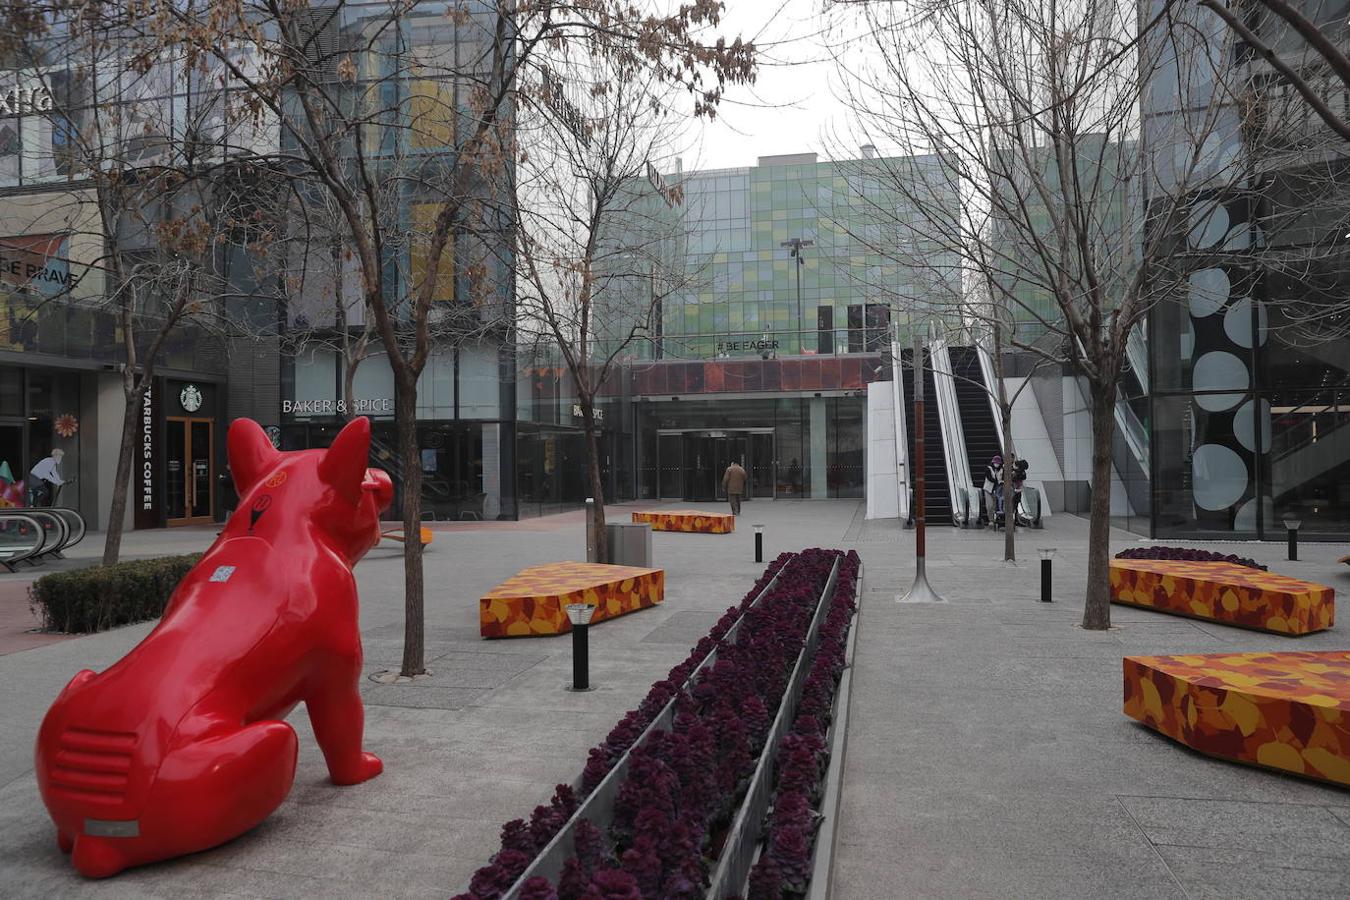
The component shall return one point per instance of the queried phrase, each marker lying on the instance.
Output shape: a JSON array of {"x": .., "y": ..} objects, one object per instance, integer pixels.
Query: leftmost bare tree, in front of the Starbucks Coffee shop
[{"x": 160, "y": 198}]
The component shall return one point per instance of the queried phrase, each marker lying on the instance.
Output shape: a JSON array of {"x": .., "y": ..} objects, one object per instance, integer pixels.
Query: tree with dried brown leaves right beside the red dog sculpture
[{"x": 427, "y": 96}]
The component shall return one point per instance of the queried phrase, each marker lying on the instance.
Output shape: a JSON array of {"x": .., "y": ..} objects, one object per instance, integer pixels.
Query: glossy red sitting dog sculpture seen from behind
[{"x": 182, "y": 744}]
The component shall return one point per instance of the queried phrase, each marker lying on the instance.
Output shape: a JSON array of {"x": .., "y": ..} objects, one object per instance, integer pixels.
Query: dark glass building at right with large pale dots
[{"x": 1249, "y": 384}]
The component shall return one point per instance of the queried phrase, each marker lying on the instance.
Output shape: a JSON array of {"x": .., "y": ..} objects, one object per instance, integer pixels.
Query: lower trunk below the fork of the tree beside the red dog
[{"x": 410, "y": 457}]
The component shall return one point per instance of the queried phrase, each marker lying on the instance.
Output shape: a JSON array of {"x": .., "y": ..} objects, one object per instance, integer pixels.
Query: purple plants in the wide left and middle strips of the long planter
[{"x": 682, "y": 786}]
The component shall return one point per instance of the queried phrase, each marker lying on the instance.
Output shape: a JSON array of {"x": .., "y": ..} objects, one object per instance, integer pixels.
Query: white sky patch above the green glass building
[{"x": 793, "y": 106}]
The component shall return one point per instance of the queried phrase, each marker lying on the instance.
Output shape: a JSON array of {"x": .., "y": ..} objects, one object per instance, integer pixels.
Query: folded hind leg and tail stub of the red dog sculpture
[{"x": 205, "y": 794}]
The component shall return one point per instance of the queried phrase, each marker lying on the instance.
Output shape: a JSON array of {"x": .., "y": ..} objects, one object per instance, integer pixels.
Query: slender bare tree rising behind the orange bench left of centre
[{"x": 597, "y": 237}]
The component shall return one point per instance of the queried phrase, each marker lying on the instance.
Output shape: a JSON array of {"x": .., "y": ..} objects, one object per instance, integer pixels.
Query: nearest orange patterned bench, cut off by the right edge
[{"x": 1286, "y": 712}]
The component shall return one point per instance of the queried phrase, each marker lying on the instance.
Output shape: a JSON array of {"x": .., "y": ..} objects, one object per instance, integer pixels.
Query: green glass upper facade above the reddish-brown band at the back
[{"x": 745, "y": 293}]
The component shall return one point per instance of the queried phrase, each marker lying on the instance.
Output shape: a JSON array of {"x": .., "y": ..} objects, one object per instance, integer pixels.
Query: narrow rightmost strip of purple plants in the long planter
[{"x": 785, "y": 864}]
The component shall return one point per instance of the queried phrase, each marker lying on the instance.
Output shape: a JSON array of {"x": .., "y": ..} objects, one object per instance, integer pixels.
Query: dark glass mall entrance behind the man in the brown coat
[{"x": 692, "y": 462}]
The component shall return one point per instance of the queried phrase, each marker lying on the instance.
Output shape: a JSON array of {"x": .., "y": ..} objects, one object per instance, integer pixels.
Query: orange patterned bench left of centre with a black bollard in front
[{"x": 533, "y": 601}]
